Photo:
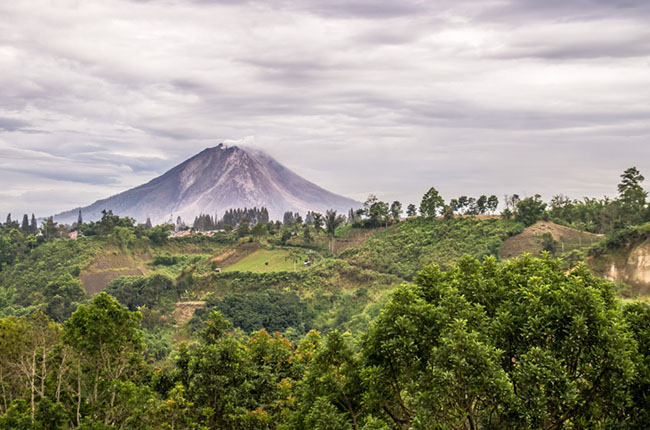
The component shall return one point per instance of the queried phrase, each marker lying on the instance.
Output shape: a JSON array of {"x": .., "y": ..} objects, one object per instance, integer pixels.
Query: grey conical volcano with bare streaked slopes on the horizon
[{"x": 213, "y": 181}]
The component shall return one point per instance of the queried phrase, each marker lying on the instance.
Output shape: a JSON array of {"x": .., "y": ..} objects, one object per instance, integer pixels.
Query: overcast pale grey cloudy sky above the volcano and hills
[{"x": 359, "y": 96}]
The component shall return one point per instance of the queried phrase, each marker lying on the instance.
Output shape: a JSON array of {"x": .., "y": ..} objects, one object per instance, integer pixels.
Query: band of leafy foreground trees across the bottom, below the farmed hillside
[{"x": 483, "y": 345}]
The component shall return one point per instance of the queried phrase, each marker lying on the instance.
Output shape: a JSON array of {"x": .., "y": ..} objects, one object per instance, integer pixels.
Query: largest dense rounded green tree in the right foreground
[{"x": 486, "y": 345}]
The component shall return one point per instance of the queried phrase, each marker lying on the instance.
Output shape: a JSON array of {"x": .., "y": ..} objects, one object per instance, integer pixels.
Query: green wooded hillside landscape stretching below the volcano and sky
[{"x": 366, "y": 321}]
